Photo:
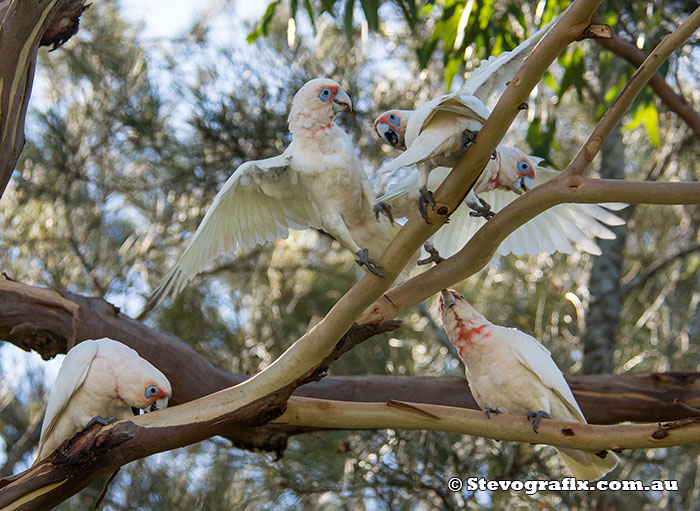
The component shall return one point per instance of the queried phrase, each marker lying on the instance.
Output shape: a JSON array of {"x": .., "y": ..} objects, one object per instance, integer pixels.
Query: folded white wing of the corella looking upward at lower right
[{"x": 537, "y": 359}]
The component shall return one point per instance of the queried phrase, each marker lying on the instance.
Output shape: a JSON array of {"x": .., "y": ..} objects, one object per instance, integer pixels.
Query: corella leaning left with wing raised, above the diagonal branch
[{"x": 438, "y": 132}]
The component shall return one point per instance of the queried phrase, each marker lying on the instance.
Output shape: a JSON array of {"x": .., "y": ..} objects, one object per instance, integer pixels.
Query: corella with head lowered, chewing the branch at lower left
[{"x": 99, "y": 380}]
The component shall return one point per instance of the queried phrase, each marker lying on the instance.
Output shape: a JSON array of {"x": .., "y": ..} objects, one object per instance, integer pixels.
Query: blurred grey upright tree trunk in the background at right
[{"x": 603, "y": 315}]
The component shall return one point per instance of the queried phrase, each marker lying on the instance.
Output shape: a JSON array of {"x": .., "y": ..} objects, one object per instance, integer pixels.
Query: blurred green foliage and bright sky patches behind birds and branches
[{"x": 130, "y": 137}]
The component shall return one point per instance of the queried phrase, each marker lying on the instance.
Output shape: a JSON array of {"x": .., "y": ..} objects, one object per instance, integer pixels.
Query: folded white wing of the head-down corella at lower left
[{"x": 70, "y": 377}]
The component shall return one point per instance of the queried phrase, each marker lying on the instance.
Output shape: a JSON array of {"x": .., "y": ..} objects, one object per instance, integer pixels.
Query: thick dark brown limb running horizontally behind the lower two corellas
[{"x": 44, "y": 321}]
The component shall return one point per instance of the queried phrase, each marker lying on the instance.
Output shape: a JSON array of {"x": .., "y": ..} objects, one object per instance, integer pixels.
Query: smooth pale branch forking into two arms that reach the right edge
[{"x": 569, "y": 186}]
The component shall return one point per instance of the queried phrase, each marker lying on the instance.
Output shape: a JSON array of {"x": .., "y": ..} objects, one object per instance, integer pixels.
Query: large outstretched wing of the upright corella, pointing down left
[{"x": 259, "y": 203}]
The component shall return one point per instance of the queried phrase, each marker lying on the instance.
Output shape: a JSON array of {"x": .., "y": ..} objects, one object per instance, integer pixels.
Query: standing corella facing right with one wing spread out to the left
[{"x": 317, "y": 182}]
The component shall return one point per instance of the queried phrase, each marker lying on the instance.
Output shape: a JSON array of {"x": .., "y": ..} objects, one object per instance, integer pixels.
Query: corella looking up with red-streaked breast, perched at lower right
[{"x": 511, "y": 372}]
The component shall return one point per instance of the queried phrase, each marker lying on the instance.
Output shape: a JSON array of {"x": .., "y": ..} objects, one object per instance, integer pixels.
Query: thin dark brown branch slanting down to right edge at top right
[{"x": 673, "y": 101}]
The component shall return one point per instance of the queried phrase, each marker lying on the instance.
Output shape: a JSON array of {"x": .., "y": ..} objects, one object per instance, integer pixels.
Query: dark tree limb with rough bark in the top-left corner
[{"x": 24, "y": 26}]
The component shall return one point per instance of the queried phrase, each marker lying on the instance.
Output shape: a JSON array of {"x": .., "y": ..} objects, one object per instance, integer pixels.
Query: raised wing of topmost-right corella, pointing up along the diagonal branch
[{"x": 490, "y": 79}]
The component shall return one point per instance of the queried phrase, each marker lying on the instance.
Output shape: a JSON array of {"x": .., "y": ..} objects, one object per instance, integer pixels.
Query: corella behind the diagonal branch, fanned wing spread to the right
[{"x": 510, "y": 173}]
